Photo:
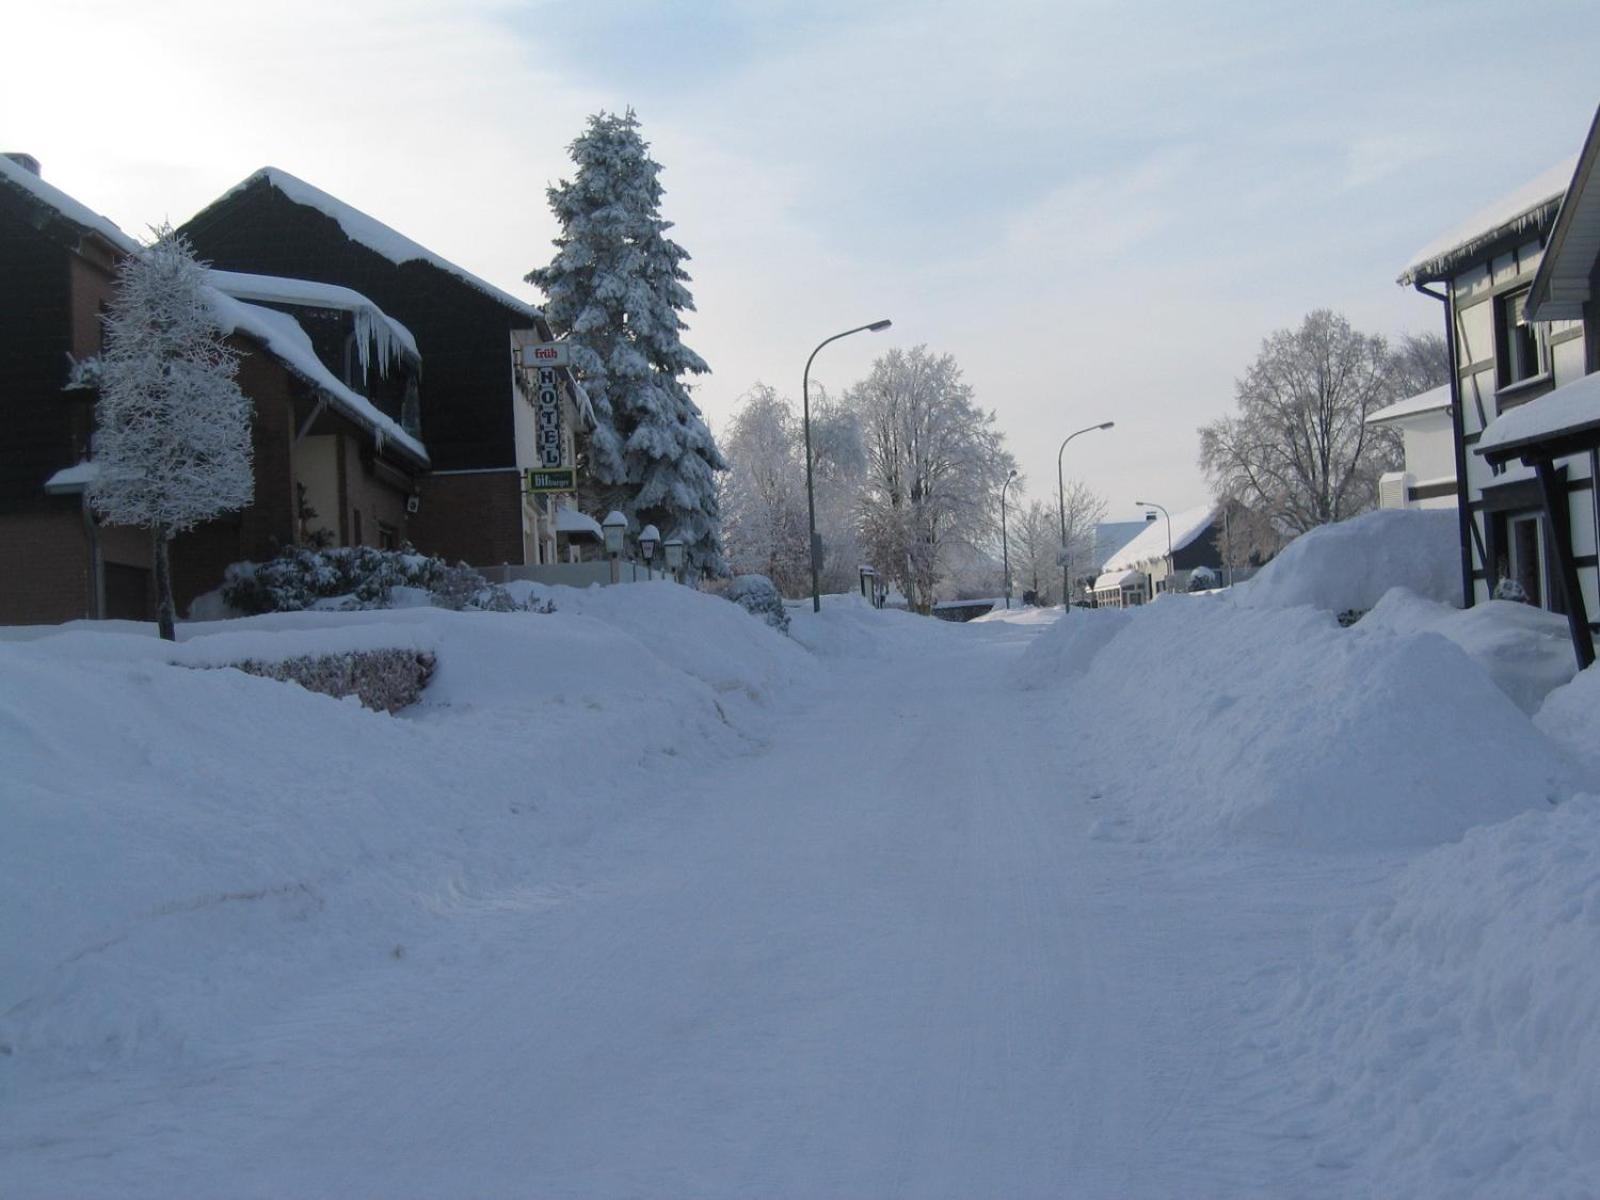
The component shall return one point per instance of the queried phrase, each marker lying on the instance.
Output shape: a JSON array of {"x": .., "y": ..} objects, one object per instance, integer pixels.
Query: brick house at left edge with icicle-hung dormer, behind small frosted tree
[{"x": 311, "y": 430}]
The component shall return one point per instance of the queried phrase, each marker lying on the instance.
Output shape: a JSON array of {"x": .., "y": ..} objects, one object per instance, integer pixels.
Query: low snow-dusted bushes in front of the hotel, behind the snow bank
[{"x": 358, "y": 577}]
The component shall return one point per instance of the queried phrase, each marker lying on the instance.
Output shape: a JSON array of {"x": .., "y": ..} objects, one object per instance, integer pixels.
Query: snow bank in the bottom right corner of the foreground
[{"x": 1450, "y": 1041}]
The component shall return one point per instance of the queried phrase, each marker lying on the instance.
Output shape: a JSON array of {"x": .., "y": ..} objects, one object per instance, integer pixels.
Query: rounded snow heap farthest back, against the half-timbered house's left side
[{"x": 1353, "y": 564}]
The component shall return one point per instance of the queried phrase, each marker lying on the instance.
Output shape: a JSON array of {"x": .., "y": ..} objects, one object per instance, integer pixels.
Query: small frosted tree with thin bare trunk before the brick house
[{"x": 172, "y": 438}]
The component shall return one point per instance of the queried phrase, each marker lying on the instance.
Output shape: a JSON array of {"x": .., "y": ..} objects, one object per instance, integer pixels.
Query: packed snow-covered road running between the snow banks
[{"x": 892, "y": 951}]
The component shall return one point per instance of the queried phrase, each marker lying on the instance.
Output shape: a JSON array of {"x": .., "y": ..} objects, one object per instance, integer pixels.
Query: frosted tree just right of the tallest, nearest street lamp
[{"x": 935, "y": 468}]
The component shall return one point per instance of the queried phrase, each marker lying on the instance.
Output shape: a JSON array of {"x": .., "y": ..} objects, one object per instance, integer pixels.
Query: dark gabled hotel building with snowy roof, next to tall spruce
[{"x": 481, "y": 430}]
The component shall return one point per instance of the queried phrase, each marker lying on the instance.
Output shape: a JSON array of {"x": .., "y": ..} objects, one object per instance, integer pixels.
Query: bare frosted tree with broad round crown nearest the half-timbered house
[{"x": 1300, "y": 450}]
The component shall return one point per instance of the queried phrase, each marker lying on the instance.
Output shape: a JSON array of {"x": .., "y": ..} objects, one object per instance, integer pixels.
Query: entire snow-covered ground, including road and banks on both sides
[{"x": 649, "y": 900}]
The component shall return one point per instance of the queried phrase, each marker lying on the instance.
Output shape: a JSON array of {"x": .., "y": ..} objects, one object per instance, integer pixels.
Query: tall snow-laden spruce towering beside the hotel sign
[{"x": 615, "y": 290}]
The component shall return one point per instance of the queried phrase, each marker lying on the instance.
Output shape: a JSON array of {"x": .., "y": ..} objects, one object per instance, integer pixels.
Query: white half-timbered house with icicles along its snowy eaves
[{"x": 1514, "y": 350}]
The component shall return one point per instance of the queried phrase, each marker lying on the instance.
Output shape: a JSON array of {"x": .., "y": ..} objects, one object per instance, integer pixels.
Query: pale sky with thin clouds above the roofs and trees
[{"x": 1098, "y": 209}]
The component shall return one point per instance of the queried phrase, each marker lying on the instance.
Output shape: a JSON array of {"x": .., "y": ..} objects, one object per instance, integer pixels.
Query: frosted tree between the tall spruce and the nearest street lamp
[{"x": 762, "y": 494}]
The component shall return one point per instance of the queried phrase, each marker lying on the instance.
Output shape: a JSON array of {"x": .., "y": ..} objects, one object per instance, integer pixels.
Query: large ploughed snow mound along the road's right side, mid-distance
[{"x": 1281, "y": 726}]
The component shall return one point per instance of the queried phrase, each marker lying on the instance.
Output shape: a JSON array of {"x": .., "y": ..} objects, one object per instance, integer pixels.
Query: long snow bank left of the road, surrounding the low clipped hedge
[{"x": 186, "y": 849}]
